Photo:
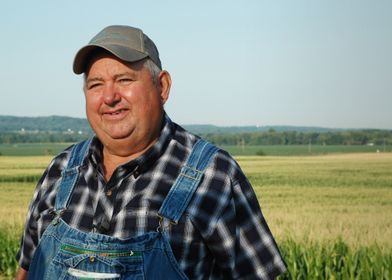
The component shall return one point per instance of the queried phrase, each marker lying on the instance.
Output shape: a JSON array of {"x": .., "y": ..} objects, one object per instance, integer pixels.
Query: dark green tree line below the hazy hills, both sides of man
[{"x": 270, "y": 137}]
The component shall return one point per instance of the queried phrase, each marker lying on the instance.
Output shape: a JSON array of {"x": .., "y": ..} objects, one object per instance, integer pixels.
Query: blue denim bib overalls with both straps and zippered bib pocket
[{"x": 67, "y": 253}]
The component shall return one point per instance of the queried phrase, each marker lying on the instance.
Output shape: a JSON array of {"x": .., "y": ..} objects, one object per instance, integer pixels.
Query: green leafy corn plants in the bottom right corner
[{"x": 335, "y": 260}]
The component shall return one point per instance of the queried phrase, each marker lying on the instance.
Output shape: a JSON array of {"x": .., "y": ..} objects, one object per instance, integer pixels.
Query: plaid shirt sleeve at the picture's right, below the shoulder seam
[{"x": 241, "y": 241}]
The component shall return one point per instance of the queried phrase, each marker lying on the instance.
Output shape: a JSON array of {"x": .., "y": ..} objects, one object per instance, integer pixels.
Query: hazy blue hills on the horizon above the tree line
[{"x": 57, "y": 124}]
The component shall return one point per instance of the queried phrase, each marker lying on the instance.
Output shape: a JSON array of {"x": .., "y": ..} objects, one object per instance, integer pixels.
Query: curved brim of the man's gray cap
[{"x": 126, "y": 54}]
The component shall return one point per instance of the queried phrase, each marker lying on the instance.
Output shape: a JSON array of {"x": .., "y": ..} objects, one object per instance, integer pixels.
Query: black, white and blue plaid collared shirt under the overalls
[{"x": 222, "y": 234}]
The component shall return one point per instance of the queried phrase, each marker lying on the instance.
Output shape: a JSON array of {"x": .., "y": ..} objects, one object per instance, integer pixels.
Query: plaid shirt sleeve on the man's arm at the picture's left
[{"x": 40, "y": 214}]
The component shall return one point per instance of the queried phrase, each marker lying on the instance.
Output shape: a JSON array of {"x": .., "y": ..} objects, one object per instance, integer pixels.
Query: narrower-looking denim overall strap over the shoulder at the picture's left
[{"x": 70, "y": 174}]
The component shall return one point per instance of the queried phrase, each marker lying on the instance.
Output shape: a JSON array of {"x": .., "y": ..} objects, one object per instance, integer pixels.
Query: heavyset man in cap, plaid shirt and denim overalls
[{"x": 144, "y": 198}]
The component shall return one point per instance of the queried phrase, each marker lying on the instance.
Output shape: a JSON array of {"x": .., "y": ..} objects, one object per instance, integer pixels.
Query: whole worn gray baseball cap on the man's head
[{"x": 127, "y": 43}]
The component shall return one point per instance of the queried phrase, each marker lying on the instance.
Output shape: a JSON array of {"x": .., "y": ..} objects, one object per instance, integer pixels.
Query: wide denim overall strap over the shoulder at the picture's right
[{"x": 187, "y": 182}]
